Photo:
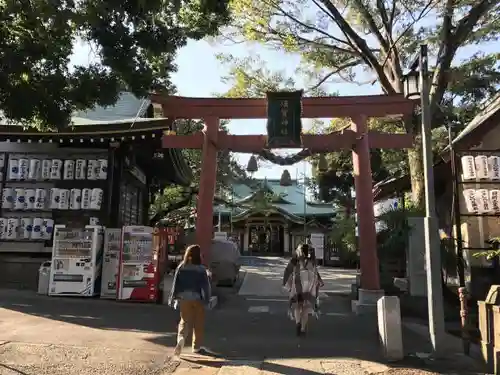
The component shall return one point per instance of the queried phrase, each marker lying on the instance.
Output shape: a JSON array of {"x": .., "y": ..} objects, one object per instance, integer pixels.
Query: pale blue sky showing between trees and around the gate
[{"x": 199, "y": 75}]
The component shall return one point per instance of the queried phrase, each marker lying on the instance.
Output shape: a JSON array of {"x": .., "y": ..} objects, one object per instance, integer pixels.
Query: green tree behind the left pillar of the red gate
[{"x": 177, "y": 203}]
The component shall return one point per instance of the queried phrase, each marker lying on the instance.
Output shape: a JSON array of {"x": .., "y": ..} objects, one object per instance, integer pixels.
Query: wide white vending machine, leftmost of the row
[{"x": 76, "y": 261}]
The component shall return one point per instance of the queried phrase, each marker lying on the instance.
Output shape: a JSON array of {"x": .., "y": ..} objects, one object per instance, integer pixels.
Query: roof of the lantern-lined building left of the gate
[{"x": 123, "y": 122}]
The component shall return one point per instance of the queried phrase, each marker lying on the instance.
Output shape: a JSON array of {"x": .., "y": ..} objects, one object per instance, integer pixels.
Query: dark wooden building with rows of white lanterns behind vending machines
[{"x": 121, "y": 144}]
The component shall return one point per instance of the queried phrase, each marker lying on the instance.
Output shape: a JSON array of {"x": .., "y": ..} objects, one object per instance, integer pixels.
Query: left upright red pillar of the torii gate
[{"x": 204, "y": 221}]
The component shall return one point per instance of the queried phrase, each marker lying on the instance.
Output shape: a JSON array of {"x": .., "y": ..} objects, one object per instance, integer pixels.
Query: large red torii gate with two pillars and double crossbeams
[{"x": 357, "y": 138}]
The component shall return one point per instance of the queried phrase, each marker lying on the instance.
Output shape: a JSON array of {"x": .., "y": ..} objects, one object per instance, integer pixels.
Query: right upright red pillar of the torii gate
[{"x": 370, "y": 278}]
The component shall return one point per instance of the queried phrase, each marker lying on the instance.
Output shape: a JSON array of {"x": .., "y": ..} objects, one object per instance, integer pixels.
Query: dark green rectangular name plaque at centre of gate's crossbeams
[{"x": 284, "y": 123}]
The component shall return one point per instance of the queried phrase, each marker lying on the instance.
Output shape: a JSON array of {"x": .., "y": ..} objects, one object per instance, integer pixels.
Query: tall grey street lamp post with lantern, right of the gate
[{"x": 418, "y": 83}]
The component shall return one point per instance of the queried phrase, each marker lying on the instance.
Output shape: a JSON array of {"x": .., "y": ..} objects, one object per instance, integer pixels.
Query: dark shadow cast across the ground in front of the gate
[{"x": 234, "y": 334}]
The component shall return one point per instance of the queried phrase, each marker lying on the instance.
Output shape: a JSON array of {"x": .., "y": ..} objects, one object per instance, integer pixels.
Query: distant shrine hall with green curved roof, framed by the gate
[{"x": 269, "y": 219}]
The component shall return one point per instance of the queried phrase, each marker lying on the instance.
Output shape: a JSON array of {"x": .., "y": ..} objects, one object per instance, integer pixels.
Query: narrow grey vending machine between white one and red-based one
[{"x": 111, "y": 262}]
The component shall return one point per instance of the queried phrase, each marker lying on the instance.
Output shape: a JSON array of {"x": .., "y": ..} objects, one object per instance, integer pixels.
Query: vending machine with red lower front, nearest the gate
[{"x": 138, "y": 276}]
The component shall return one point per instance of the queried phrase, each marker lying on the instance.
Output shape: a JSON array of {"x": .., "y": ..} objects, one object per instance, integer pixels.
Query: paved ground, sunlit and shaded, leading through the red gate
[{"x": 56, "y": 336}]
